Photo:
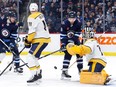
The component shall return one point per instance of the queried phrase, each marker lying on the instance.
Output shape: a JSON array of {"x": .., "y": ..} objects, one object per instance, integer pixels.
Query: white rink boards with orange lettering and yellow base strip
[{"x": 107, "y": 42}]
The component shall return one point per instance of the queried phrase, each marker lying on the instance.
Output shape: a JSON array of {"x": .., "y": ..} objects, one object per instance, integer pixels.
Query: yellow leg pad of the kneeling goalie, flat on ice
[{"x": 93, "y": 77}]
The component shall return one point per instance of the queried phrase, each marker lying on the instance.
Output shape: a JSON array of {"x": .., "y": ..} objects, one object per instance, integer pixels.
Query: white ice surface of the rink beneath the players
[{"x": 51, "y": 77}]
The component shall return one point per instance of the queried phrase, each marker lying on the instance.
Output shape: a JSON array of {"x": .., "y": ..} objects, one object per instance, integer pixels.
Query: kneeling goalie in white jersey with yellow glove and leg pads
[{"x": 96, "y": 61}]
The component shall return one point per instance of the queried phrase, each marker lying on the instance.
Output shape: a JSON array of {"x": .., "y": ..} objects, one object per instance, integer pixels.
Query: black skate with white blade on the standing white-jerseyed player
[{"x": 35, "y": 79}]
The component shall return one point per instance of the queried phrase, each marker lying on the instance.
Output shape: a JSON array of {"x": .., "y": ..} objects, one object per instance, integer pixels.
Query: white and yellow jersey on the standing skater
[{"x": 38, "y": 29}]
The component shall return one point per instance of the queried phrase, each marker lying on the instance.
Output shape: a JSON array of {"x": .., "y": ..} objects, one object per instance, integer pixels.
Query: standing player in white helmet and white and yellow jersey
[{"x": 37, "y": 39}]
